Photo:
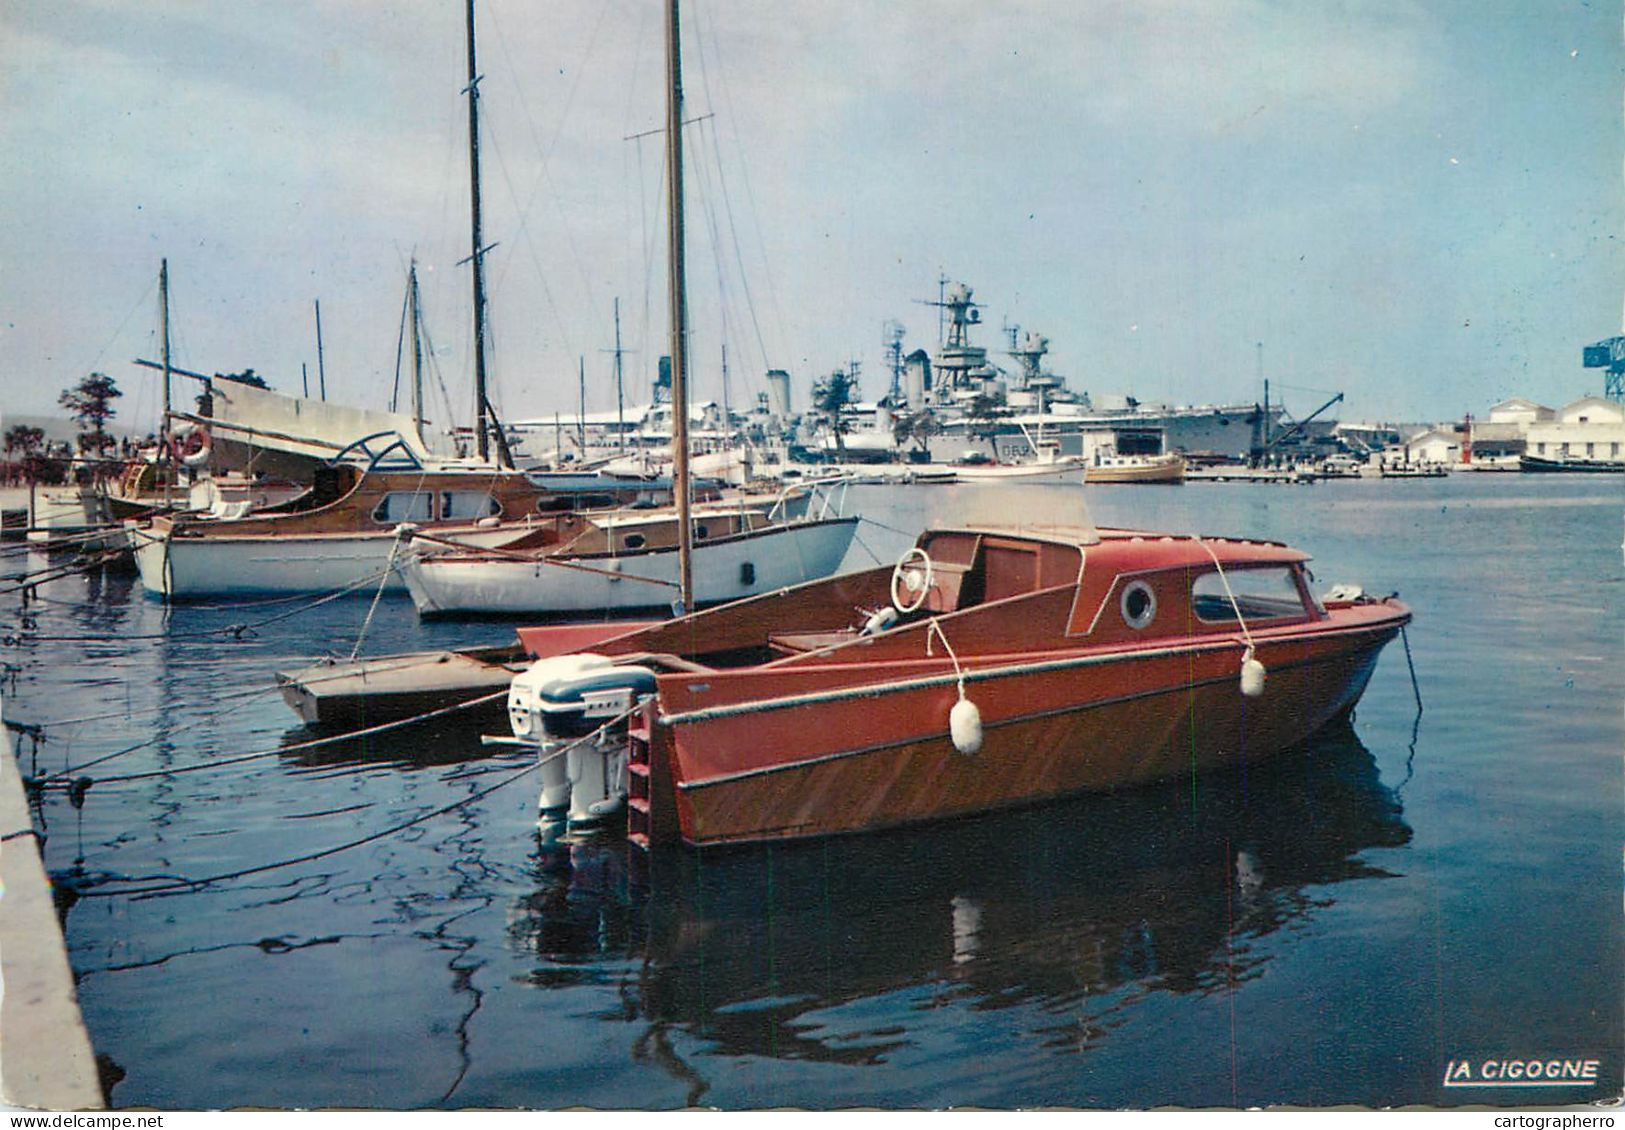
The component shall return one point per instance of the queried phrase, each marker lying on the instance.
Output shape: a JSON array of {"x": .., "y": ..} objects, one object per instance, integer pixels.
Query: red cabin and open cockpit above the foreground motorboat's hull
[{"x": 999, "y": 593}]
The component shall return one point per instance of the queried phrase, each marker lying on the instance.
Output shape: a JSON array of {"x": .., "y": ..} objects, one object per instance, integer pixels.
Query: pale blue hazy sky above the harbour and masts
[{"x": 1416, "y": 204}]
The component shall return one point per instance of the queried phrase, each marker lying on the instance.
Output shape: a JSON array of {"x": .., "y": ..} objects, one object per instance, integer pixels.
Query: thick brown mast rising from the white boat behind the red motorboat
[{"x": 678, "y": 302}]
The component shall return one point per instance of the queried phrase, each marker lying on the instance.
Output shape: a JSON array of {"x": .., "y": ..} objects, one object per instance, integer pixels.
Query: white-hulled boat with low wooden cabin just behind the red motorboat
[{"x": 625, "y": 562}]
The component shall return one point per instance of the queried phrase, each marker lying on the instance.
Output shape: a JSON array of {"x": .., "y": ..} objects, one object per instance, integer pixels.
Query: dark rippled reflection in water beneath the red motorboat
[{"x": 1077, "y": 908}]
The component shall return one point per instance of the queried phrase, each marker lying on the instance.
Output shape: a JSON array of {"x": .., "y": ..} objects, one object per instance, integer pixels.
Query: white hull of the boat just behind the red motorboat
[{"x": 724, "y": 570}]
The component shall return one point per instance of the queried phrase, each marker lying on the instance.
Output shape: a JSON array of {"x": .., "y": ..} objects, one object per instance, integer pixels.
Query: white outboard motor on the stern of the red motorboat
[{"x": 561, "y": 700}]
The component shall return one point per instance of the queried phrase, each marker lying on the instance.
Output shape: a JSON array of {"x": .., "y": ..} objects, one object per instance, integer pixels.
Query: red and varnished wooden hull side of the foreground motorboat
[{"x": 747, "y": 763}]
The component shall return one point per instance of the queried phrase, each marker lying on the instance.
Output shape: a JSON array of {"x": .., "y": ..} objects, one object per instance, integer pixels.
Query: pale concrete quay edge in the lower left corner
[{"x": 46, "y": 1059}]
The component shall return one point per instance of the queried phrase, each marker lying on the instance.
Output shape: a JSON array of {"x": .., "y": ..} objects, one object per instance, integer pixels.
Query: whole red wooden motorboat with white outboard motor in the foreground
[{"x": 992, "y": 667}]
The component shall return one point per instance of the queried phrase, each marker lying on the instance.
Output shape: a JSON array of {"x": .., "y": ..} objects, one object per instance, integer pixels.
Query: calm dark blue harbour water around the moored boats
[{"x": 1333, "y": 928}]
